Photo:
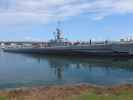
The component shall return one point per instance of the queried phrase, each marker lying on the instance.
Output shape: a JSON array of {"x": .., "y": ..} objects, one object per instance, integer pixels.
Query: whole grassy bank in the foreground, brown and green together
[{"x": 81, "y": 92}]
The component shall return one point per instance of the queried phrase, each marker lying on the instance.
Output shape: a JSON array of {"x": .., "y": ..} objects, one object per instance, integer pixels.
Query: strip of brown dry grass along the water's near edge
[{"x": 62, "y": 92}]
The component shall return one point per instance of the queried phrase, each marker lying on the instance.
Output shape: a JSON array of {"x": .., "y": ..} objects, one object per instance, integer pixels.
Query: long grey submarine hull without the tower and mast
[{"x": 103, "y": 50}]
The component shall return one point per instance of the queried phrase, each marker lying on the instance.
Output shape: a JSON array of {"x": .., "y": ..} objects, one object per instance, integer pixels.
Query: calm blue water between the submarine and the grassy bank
[{"x": 18, "y": 70}]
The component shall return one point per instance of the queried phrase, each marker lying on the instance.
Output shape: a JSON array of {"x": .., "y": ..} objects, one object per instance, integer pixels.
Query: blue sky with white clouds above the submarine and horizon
[{"x": 36, "y": 20}]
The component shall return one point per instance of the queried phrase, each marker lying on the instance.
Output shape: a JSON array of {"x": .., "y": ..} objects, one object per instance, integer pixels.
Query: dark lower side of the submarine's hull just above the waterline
[{"x": 68, "y": 52}]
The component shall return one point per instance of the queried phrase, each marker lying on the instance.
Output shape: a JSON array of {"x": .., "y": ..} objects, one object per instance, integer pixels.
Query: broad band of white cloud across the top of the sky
[{"x": 17, "y": 12}]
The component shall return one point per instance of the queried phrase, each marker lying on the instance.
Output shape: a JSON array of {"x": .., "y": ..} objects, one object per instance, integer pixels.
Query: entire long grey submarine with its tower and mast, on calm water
[{"x": 59, "y": 45}]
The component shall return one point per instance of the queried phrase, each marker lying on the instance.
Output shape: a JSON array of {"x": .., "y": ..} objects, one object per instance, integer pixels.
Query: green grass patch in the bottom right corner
[{"x": 94, "y": 96}]
